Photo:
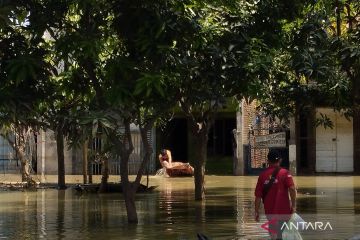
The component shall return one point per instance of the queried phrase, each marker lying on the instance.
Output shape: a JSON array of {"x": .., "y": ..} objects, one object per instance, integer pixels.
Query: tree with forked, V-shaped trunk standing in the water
[{"x": 123, "y": 79}]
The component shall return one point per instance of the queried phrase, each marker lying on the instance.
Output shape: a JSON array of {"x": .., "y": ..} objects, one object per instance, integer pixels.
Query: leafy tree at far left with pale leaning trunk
[{"x": 23, "y": 74}]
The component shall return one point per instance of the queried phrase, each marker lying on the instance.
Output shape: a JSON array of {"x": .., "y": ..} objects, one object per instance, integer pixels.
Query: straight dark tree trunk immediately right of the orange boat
[{"x": 201, "y": 140}]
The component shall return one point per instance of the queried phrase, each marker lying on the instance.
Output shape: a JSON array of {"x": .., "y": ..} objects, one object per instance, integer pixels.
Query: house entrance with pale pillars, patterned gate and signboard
[{"x": 256, "y": 134}]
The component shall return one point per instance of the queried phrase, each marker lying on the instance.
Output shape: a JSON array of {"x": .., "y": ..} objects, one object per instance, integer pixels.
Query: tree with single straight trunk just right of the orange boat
[{"x": 227, "y": 54}]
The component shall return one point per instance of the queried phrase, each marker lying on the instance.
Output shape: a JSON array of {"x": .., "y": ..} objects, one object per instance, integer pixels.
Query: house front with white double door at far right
[{"x": 323, "y": 149}]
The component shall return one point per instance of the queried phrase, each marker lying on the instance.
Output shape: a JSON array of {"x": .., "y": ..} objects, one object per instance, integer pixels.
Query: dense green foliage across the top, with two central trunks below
[{"x": 80, "y": 66}]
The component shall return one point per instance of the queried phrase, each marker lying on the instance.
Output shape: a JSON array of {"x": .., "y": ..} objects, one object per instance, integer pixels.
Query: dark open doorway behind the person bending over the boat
[{"x": 175, "y": 139}]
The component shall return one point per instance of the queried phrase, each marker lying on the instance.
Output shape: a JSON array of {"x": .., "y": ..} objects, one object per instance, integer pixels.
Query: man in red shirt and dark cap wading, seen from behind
[{"x": 275, "y": 195}]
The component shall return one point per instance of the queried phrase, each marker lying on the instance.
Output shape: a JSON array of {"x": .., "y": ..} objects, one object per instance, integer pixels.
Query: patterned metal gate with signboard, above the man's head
[{"x": 260, "y": 141}]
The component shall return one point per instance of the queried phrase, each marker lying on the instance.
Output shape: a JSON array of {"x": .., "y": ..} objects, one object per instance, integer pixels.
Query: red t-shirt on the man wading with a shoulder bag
[{"x": 277, "y": 199}]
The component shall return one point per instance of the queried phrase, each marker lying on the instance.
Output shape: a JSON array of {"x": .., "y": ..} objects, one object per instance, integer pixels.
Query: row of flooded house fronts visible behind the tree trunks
[{"x": 308, "y": 149}]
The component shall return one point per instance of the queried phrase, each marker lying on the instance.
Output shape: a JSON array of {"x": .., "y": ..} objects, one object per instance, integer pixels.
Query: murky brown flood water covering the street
[{"x": 170, "y": 212}]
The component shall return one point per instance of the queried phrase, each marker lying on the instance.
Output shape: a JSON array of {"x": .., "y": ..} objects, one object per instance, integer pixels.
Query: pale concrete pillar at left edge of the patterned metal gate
[{"x": 239, "y": 159}]
